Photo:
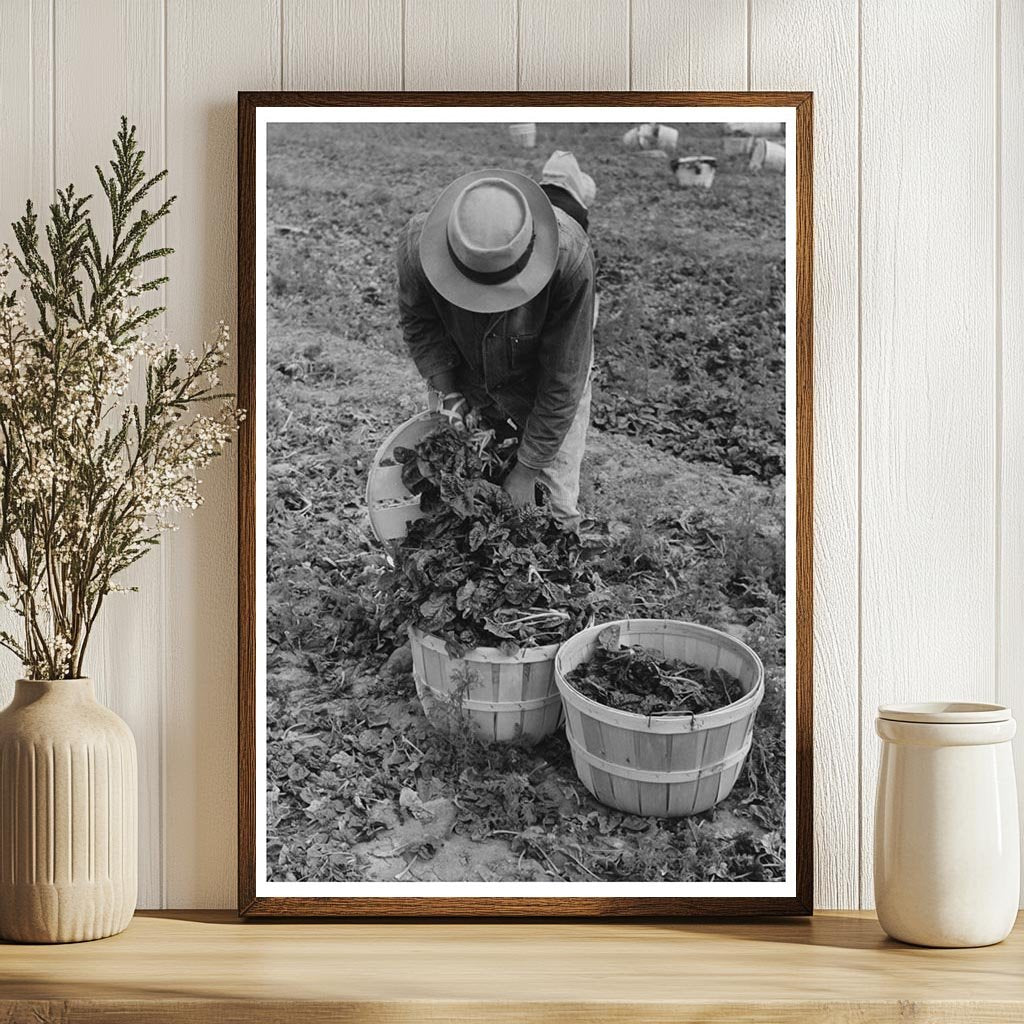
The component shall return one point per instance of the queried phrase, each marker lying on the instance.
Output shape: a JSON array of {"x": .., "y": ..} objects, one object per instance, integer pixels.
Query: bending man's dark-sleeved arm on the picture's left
[{"x": 433, "y": 351}]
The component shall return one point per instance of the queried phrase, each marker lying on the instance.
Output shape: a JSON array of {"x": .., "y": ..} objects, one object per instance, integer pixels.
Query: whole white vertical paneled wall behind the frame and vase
[{"x": 919, "y": 323}]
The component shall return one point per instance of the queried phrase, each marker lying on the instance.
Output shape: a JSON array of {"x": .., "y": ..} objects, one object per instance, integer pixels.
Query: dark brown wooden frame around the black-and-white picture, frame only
[{"x": 253, "y": 905}]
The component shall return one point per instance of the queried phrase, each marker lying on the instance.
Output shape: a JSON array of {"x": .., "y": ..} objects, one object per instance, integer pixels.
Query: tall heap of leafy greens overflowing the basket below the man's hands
[{"x": 476, "y": 571}]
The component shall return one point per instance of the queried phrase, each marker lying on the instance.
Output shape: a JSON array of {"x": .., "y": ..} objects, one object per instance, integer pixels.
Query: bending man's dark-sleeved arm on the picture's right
[{"x": 567, "y": 349}]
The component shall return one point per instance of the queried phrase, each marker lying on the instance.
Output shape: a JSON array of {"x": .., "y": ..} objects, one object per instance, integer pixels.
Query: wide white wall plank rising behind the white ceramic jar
[{"x": 929, "y": 351}]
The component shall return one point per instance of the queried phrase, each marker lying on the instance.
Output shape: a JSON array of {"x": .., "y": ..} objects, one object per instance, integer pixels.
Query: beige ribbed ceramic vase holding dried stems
[{"x": 69, "y": 796}]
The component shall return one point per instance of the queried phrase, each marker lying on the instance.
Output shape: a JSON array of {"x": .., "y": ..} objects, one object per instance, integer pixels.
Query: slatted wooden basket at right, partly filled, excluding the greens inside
[{"x": 662, "y": 765}]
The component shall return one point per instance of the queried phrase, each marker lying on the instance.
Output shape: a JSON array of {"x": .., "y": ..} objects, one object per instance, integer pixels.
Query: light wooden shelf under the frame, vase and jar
[{"x": 209, "y": 967}]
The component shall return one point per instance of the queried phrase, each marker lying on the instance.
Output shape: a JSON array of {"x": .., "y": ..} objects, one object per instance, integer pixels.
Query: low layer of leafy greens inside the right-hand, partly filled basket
[{"x": 637, "y": 680}]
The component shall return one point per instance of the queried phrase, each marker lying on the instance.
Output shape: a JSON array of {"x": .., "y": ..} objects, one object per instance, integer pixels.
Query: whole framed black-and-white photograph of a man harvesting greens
[{"x": 525, "y": 504}]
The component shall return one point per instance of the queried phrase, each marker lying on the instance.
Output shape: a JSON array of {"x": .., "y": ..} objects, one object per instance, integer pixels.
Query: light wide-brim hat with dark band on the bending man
[{"x": 490, "y": 275}]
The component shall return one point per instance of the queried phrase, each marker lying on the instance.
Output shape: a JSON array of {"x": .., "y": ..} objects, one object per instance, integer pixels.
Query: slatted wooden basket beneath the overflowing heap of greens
[{"x": 501, "y": 698}]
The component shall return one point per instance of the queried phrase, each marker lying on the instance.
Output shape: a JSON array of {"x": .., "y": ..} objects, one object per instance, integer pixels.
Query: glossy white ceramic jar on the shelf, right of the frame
[{"x": 947, "y": 843}]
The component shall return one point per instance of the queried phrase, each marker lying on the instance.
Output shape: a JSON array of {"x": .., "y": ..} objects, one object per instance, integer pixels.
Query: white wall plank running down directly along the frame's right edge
[{"x": 830, "y": 68}]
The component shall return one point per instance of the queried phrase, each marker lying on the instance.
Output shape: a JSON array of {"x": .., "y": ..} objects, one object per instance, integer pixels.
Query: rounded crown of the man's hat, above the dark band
[{"x": 491, "y": 226}]
